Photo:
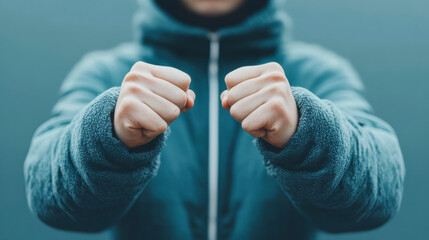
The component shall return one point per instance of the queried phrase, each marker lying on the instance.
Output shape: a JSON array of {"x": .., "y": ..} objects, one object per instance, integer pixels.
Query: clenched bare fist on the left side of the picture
[{"x": 151, "y": 98}]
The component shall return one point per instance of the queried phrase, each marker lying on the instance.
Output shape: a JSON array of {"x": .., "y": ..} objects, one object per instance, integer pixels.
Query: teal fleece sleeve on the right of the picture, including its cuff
[{"x": 343, "y": 168}]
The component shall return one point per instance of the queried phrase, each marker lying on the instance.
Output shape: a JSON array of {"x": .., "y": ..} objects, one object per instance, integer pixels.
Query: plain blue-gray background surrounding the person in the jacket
[{"x": 387, "y": 41}]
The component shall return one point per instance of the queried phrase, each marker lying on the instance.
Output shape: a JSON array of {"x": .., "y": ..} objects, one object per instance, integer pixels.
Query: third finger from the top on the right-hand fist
[{"x": 243, "y": 108}]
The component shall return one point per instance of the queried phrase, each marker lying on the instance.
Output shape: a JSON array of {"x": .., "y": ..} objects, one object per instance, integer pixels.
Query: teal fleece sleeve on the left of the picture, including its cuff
[{"x": 78, "y": 175}]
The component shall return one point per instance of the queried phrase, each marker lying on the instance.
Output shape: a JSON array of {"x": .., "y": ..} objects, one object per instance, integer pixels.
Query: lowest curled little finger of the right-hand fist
[{"x": 256, "y": 122}]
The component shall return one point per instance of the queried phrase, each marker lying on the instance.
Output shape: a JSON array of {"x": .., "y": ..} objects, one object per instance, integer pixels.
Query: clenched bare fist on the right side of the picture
[{"x": 260, "y": 98}]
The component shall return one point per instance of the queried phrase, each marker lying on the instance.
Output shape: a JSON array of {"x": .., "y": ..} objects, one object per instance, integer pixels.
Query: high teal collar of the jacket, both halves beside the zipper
[{"x": 267, "y": 28}]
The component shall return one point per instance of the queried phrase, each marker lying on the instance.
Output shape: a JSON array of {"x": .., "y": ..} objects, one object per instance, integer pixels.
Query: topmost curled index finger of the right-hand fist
[{"x": 244, "y": 73}]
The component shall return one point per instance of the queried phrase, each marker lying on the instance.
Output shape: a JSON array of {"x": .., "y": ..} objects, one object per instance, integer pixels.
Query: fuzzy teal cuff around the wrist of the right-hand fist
[{"x": 316, "y": 123}]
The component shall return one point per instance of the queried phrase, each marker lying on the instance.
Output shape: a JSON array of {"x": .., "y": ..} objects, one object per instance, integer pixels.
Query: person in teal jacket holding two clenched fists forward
[{"x": 272, "y": 138}]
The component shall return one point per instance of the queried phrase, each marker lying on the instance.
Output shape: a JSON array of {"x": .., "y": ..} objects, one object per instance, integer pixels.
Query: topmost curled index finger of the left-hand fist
[{"x": 169, "y": 74}]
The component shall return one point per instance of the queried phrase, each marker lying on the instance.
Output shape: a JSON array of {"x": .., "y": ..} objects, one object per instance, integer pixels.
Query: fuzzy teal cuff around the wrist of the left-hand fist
[{"x": 97, "y": 134}]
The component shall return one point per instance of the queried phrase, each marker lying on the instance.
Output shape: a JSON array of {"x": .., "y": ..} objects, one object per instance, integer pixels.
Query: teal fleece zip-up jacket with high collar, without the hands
[{"x": 341, "y": 171}]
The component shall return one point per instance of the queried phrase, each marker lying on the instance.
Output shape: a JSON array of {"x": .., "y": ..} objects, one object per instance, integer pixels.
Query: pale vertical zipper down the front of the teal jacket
[{"x": 213, "y": 135}]
